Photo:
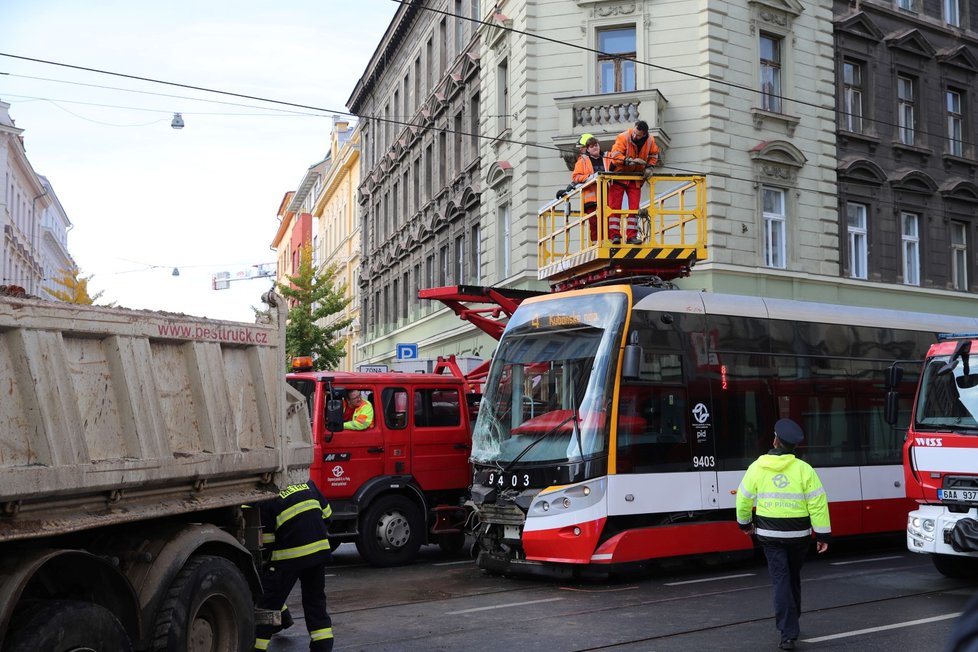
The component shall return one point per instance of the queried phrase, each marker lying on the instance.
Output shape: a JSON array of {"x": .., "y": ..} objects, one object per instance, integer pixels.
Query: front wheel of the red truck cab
[{"x": 391, "y": 532}]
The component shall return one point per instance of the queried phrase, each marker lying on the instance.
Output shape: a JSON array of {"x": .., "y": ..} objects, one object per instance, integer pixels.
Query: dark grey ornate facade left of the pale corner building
[{"x": 419, "y": 107}]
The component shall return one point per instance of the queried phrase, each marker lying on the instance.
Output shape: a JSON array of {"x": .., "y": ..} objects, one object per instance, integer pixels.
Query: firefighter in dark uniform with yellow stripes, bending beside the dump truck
[{"x": 294, "y": 528}]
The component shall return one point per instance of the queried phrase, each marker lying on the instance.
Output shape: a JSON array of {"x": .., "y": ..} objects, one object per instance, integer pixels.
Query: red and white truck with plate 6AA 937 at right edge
[{"x": 940, "y": 455}]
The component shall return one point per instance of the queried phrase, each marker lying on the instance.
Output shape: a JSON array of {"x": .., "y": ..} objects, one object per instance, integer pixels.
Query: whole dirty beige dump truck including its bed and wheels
[{"x": 130, "y": 443}]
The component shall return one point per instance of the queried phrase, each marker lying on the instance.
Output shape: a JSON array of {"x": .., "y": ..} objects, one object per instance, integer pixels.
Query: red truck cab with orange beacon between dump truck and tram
[{"x": 402, "y": 481}]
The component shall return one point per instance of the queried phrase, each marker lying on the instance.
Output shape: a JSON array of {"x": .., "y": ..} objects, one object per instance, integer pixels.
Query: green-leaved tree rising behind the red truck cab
[{"x": 313, "y": 297}]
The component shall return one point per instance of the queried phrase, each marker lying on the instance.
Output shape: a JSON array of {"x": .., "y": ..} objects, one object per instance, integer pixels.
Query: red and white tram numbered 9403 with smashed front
[{"x": 617, "y": 422}]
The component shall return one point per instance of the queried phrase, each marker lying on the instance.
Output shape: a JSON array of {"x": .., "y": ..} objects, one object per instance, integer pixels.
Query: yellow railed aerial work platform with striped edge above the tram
[{"x": 671, "y": 221}]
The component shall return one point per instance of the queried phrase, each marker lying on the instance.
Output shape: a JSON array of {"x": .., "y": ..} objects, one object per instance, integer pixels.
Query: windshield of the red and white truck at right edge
[{"x": 948, "y": 399}]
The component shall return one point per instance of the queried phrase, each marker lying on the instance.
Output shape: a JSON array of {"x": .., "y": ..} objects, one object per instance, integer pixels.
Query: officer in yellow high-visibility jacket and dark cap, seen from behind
[{"x": 791, "y": 504}]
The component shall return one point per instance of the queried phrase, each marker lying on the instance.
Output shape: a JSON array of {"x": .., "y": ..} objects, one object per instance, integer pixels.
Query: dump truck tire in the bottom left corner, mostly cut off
[{"x": 66, "y": 626}]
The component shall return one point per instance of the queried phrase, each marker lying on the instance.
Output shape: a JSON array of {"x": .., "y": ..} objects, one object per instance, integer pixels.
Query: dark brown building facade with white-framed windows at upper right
[{"x": 906, "y": 88}]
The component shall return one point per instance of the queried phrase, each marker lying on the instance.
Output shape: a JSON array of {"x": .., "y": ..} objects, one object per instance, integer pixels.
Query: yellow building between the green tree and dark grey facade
[{"x": 338, "y": 229}]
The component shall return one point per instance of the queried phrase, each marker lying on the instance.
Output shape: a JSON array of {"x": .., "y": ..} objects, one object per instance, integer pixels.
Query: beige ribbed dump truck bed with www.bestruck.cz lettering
[{"x": 110, "y": 415}]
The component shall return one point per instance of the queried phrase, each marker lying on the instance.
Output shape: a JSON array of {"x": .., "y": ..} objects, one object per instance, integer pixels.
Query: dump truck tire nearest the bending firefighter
[{"x": 208, "y": 608}]
